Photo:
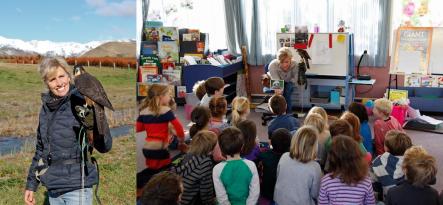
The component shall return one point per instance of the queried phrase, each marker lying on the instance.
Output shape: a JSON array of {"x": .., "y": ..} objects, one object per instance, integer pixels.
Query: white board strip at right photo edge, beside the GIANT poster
[{"x": 436, "y": 61}]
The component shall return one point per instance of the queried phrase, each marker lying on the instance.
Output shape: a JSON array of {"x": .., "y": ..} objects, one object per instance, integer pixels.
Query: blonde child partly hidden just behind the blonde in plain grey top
[{"x": 317, "y": 121}]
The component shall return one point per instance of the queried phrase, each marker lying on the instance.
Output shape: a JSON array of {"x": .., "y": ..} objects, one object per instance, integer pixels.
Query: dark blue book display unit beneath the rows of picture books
[{"x": 194, "y": 73}]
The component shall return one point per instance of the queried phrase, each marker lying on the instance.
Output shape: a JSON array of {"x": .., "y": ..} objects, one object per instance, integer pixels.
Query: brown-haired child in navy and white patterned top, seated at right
[{"x": 386, "y": 168}]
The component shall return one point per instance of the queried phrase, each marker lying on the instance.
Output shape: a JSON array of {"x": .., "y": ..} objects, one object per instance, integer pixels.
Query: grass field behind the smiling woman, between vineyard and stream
[{"x": 20, "y": 102}]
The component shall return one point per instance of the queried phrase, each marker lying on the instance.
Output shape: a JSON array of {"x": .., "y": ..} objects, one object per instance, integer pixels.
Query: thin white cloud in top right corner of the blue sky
[{"x": 121, "y": 8}]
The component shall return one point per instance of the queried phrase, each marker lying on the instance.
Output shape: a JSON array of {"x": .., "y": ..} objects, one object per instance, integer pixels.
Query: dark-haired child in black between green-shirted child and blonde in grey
[{"x": 268, "y": 161}]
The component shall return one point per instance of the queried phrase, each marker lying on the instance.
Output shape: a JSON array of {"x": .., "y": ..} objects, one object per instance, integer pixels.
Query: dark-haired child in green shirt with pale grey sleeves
[{"x": 236, "y": 179}]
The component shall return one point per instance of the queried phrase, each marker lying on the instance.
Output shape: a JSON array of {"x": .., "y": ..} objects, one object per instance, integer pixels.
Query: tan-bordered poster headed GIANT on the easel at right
[{"x": 412, "y": 50}]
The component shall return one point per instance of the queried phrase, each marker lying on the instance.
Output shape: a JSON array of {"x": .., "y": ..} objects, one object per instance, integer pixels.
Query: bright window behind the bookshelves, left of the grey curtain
[{"x": 207, "y": 16}]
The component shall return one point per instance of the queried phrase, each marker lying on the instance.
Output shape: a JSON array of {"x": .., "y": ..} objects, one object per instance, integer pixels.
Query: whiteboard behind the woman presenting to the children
[{"x": 325, "y": 61}]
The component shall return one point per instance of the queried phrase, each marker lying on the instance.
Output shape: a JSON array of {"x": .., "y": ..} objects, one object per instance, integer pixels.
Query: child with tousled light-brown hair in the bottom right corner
[{"x": 420, "y": 169}]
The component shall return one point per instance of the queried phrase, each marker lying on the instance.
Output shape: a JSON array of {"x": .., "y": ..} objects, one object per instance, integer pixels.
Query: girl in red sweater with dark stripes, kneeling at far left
[{"x": 154, "y": 118}]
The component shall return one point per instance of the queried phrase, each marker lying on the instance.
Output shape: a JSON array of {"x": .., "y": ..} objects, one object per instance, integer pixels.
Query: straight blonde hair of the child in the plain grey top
[{"x": 304, "y": 144}]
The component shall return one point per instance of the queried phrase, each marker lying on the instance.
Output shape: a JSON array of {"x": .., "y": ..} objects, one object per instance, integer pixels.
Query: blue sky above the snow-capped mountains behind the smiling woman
[{"x": 68, "y": 20}]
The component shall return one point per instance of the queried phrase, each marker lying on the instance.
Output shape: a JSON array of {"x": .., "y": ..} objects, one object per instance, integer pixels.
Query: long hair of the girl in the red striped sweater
[{"x": 152, "y": 101}]
